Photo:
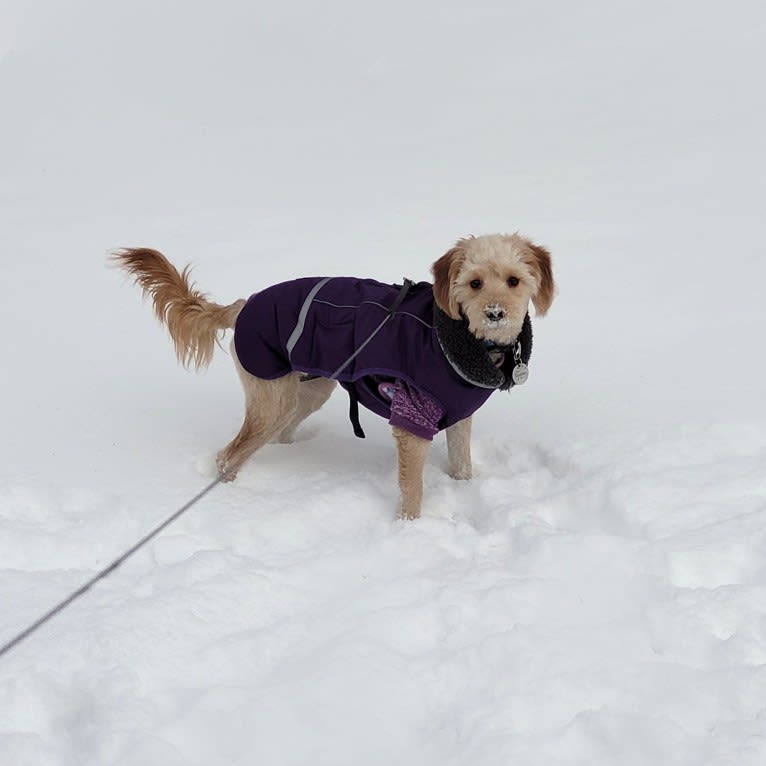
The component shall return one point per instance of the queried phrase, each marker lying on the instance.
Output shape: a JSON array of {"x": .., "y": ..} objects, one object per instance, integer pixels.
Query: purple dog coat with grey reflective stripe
[{"x": 314, "y": 325}]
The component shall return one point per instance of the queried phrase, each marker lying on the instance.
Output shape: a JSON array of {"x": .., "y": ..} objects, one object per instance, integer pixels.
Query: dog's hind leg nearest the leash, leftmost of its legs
[{"x": 269, "y": 407}]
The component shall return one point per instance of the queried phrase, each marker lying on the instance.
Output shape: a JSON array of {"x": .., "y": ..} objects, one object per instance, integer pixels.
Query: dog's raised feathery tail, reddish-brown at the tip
[{"x": 193, "y": 321}]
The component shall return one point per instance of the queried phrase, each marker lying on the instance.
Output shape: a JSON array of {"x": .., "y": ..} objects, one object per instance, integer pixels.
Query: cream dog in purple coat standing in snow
[{"x": 424, "y": 356}]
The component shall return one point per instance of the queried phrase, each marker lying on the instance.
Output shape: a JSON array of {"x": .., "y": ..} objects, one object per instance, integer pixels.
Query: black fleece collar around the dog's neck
[{"x": 469, "y": 357}]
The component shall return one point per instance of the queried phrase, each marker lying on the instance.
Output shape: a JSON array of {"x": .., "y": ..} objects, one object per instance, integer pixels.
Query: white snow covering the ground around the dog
[{"x": 595, "y": 595}]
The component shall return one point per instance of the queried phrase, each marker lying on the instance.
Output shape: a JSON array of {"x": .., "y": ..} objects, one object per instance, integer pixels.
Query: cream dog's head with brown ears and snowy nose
[{"x": 490, "y": 280}]
